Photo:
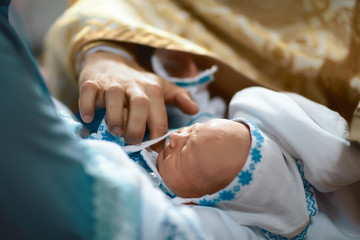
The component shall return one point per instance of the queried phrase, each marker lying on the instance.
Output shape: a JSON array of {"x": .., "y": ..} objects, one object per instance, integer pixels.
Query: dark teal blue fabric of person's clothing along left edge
[{"x": 44, "y": 190}]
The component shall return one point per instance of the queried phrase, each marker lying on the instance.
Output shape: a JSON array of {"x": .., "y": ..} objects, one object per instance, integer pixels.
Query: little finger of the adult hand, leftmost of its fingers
[{"x": 88, "y": 93}]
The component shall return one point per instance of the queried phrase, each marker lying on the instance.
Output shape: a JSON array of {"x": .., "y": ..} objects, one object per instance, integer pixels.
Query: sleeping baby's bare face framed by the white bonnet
[{"x": 204, "y": 158}]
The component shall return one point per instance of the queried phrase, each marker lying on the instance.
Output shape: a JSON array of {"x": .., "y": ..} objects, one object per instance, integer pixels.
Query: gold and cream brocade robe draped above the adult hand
[{"x": 311, "y": 47}]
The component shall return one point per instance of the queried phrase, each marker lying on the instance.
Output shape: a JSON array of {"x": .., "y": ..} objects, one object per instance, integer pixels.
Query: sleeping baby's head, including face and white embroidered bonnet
[{"x": 234, "y": 166}]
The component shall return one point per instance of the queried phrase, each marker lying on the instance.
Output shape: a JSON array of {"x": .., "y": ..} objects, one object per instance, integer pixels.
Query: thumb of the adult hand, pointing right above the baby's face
[{"x": 179, "y": 97}]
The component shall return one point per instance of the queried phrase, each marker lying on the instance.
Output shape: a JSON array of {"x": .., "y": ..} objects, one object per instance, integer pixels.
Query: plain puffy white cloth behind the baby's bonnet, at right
[{"x": 305, "y": 130}]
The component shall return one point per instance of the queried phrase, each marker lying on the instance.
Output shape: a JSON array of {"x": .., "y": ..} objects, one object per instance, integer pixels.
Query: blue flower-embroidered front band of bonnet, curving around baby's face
[{"x": 245, "y": 176}]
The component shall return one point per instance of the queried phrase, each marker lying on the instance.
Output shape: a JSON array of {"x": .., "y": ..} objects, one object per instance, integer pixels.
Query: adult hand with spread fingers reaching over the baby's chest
[{"x": 134, "y": 98}]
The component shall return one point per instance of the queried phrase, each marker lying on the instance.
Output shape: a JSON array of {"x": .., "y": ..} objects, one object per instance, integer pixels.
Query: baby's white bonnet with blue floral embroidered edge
[{"x": 268, "y": 192}]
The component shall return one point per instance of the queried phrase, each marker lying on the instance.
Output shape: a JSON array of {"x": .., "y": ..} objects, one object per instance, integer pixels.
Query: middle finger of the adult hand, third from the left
[{"x": 137, "y": 117}]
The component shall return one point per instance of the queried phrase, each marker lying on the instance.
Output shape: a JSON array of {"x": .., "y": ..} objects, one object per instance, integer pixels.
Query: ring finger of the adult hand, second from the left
[{"x": 114, "y": 100}]
